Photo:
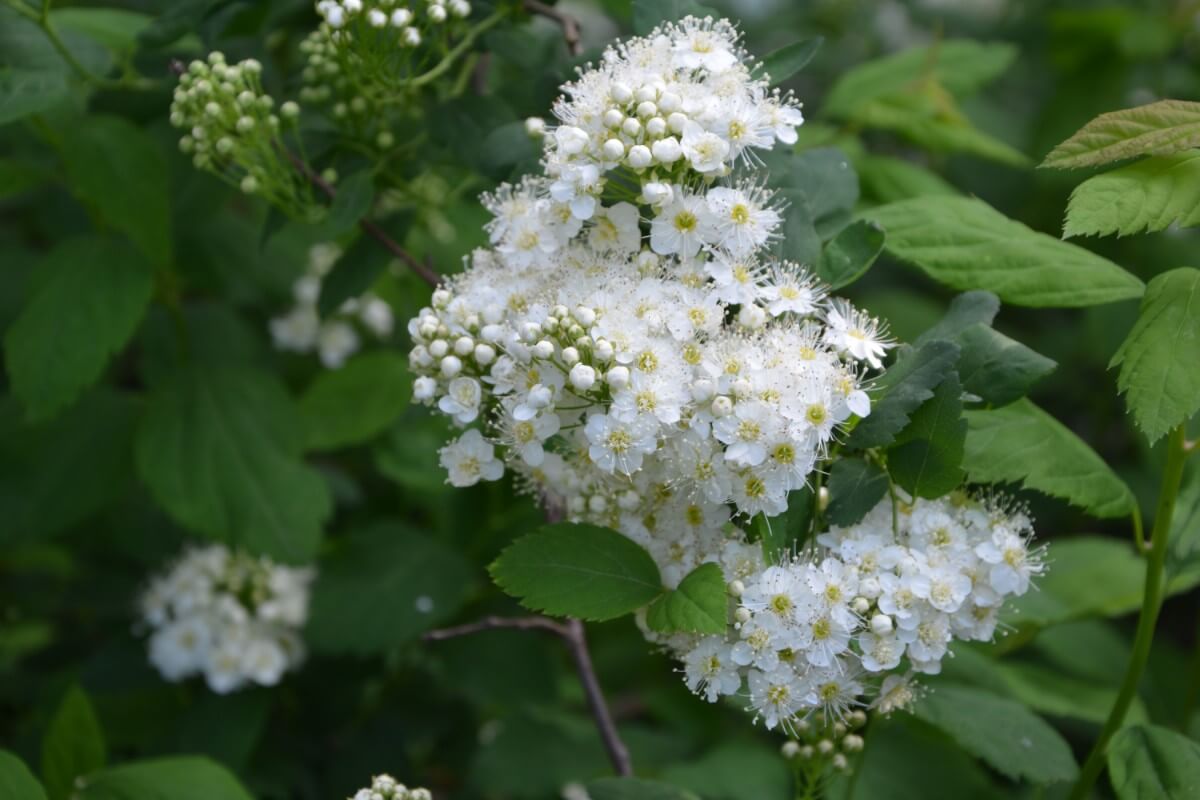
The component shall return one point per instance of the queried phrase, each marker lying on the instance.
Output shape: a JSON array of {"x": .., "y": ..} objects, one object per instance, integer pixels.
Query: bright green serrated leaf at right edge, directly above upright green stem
[{"x": 1160, "y": 371}]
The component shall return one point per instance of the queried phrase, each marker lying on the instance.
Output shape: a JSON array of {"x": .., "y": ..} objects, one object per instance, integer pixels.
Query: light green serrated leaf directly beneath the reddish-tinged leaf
[{"x": 1149, "y": 195}]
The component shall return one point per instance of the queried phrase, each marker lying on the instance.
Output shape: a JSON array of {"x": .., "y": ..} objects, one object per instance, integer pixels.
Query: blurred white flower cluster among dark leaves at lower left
[{"x": 231, "y": 617}]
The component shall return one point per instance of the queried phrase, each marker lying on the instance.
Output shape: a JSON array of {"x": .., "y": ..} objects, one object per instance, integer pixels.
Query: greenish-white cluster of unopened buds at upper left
[{"x": 231, "y": 129}]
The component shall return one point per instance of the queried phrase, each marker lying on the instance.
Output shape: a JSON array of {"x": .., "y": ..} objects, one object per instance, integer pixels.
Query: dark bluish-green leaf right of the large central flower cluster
[{"x": 997, "y": 369}]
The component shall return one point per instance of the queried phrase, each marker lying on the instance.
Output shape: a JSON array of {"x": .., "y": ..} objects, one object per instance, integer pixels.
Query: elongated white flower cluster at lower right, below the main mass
[{"x": 901, "y": 586}]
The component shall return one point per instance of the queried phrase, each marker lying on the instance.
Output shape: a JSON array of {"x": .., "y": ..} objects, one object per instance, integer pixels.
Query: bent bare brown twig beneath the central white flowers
[{"x": 573, "y": 634}]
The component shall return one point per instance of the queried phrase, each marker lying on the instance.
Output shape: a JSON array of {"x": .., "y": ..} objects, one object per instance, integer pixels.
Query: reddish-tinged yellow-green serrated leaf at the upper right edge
[{"x": 1155, "y": 130}]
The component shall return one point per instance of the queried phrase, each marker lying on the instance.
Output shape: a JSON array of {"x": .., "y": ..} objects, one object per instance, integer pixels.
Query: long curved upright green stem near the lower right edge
[{"x": 1151, "y": 605}]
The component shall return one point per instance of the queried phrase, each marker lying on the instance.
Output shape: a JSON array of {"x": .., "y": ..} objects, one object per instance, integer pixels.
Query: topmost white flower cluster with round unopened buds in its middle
[{"x": 675, "y": 105}]
